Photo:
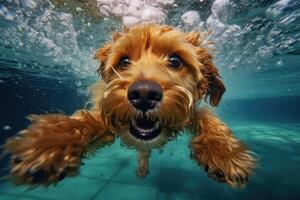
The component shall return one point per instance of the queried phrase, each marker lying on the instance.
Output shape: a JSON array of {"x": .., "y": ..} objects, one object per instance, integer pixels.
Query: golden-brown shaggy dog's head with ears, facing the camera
[{"x": 154, "y": 76}]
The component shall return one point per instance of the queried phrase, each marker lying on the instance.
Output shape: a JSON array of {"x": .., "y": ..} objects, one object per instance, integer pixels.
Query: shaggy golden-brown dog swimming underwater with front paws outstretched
[{"x": 153, "y": 79}]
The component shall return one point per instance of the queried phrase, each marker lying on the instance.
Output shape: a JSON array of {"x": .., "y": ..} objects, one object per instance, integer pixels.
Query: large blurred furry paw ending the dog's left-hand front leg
[{"x": 45, "y": 152}]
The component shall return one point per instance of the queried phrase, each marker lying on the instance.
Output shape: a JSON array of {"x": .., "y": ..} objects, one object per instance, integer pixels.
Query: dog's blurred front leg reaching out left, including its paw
[{"x": 53, "y": 145}]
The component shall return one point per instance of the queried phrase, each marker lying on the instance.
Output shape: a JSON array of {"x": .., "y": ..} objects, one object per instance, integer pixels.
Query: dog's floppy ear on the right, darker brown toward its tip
[{"x": 211, "y": 86}]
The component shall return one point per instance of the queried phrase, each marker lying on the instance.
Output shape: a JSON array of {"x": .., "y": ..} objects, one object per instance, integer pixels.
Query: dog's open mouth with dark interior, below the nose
[{"x": 145, "y": 129}]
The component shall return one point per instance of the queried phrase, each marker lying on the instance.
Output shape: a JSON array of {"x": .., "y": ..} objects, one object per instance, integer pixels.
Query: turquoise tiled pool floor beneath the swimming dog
[{"x": 110, "y": 173}]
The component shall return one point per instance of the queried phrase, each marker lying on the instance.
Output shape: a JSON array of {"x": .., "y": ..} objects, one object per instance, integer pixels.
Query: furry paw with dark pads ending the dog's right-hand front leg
[{"x": 234, "y": 171}]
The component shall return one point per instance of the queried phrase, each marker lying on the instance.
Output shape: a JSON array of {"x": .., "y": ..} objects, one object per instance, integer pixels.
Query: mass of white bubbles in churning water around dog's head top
[{"x": 44, "y": 39}]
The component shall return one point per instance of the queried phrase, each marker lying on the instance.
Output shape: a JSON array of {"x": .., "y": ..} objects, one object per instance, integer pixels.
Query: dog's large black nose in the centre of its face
[{"x": 144, "y": 95}]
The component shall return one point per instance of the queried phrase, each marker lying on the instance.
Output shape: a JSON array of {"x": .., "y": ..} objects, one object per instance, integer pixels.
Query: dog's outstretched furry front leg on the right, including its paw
[{"x": 224, "y": 158}]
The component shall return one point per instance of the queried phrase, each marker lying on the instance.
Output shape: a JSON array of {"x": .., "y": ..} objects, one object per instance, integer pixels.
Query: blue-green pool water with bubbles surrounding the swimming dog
[{"x": 46, "y": 64}]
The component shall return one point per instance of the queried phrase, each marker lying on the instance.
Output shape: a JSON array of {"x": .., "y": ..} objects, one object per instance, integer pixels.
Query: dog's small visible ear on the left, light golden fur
[{"x": 101, "y": 55}]
